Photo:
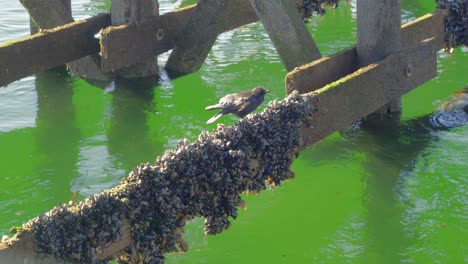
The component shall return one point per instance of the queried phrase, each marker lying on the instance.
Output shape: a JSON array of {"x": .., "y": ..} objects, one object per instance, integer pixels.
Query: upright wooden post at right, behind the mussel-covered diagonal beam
[{"x": 378, "y": 35}]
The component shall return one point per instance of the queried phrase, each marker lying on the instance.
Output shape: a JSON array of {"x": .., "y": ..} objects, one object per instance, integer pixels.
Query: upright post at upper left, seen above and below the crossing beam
[{"x": 133, "y": 12}]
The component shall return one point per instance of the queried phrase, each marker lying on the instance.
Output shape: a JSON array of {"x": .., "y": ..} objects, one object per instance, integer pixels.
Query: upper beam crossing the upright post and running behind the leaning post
[{"x": 153, "y": 37}]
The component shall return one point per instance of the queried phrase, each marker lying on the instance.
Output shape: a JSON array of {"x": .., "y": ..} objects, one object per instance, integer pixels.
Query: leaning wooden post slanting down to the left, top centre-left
[{"x": 199, "y": 36}]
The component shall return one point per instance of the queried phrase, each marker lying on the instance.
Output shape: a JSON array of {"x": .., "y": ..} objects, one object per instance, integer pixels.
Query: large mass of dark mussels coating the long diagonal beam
[{"x": 200, "y": 179}]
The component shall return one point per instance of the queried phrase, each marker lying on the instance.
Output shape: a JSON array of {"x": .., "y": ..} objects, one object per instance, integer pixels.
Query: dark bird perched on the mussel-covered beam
[{"x": 239, "y": 104}]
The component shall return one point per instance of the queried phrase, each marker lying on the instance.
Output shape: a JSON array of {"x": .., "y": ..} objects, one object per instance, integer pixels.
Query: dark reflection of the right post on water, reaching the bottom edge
[{"x": 392, "y": 148}]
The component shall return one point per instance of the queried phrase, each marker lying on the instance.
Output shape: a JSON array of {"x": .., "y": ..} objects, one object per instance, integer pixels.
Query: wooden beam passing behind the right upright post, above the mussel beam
[{"x": 317, "y": 74}]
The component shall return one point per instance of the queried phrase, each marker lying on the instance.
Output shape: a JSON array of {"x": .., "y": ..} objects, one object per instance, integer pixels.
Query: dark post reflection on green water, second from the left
[{"x": 128, "y": 132}]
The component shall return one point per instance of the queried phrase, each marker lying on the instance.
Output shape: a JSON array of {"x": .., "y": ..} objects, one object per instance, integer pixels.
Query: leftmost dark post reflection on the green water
[{"x": 57, "y": 136}]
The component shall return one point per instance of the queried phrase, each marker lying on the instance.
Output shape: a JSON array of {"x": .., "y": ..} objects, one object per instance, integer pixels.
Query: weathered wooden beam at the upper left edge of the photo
[{"x": 50, "y": 48}]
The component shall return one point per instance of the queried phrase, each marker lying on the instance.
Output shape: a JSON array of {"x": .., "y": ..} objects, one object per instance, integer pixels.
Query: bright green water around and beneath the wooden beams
[{"x": 382, "y": 191}]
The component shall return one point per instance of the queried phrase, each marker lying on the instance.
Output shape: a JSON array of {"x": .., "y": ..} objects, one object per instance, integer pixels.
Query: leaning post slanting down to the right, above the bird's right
[{"x": 287, "y": 32}]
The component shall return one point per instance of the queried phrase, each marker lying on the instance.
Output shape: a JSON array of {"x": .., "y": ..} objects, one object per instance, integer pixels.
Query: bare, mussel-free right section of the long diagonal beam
[{"x": 356, "y": 95}]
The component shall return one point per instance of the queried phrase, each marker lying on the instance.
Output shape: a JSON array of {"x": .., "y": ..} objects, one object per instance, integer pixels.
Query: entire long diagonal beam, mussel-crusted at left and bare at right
[{"x": 143, "y": 217}]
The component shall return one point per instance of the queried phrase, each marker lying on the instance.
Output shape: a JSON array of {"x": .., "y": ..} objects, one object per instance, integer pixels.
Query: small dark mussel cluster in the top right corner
[{"x": 456, "y": 23}]
